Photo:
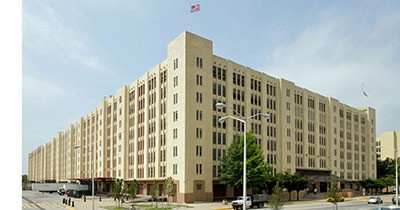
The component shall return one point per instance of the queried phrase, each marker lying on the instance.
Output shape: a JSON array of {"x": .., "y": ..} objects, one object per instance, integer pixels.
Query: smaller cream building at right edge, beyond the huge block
[{"x": 388, "y": 141}]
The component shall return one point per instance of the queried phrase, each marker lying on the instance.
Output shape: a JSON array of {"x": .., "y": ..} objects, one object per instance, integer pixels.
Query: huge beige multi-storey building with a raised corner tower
[{"x": 166, "y": 124}]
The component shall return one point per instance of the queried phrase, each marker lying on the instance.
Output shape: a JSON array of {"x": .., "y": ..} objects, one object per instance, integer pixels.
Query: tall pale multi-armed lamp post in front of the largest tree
[{"x": 243, "y": 120}]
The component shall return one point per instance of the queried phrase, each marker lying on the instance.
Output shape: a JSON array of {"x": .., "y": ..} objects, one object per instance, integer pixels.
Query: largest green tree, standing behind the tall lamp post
[{"x": 258, "y": 171}]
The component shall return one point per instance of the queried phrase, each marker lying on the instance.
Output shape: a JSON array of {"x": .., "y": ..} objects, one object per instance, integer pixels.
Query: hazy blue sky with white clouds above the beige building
[{"x": 76, "y": 52}]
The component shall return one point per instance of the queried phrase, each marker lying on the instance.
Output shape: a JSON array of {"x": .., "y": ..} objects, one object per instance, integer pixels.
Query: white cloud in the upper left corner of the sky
[{"x": 44, "y": 31}]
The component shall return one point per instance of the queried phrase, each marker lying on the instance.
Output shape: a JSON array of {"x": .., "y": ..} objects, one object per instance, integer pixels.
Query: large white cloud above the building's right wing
[{"x": 334, "y": 56}]
